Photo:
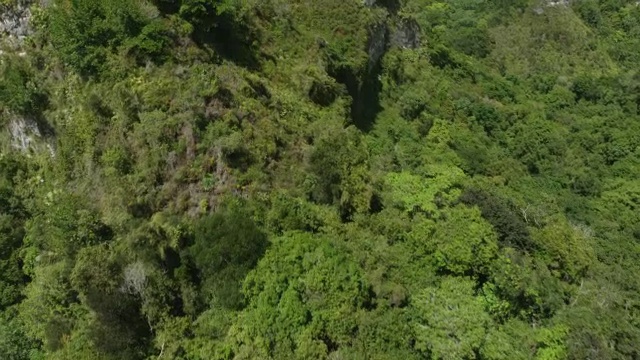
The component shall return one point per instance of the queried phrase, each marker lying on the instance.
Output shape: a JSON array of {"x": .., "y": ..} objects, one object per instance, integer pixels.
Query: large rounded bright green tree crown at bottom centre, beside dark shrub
[{"x": 315, "y": 314}]
